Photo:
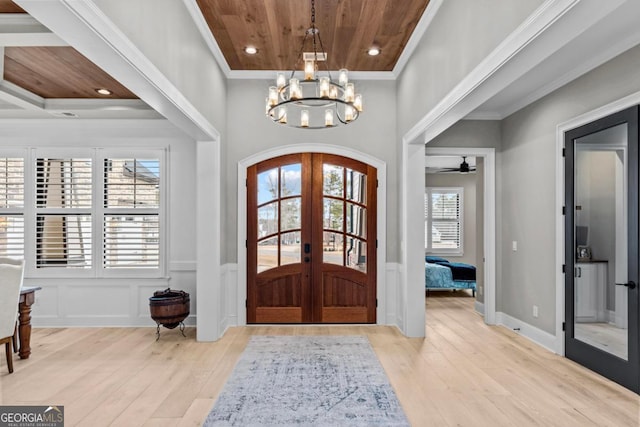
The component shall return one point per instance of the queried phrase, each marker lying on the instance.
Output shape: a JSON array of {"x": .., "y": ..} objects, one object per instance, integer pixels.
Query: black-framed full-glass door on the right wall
[{"x": 601, "y": 288}]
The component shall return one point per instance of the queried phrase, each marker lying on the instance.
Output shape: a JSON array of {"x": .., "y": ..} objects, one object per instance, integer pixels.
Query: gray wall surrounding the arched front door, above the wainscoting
[{"x": 249, "y": 133}]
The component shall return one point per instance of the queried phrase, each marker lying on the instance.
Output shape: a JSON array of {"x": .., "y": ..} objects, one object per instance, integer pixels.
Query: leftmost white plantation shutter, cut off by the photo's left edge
[{"x": 12, "y": 207}]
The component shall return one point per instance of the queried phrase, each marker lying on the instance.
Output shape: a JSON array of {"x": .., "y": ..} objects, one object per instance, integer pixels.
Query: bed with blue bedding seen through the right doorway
[{"x": 442, "y": 274}]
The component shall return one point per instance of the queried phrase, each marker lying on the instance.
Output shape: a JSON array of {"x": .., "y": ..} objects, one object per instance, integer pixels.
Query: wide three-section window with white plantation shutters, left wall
[{"x": 88, "y": 212}]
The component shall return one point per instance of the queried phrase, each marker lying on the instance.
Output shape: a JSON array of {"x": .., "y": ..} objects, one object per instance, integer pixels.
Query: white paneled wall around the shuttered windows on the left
[{"x": 121, "y": 302}]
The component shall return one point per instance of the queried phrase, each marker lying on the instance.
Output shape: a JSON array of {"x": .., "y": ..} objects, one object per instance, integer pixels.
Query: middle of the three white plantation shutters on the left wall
[{"x": 63, "y": 199}]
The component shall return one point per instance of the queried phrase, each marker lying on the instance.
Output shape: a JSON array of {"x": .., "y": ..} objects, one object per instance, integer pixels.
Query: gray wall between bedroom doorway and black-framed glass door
[{"x": 528, "y": 185}]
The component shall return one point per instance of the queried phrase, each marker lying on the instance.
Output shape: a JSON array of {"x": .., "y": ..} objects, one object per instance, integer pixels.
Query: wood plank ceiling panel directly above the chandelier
[{"x": 348, "y": 28}]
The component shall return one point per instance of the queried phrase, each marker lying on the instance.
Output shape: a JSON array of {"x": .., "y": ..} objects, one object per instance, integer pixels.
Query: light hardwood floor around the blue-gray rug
[{"x": 463, "y": 374}]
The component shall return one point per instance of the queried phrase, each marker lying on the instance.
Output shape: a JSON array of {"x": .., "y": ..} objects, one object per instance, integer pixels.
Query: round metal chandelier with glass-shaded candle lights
[{"x": 315, "y": 101}]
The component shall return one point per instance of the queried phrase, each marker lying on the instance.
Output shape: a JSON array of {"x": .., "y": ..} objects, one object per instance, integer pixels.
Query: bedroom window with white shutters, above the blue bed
[{"x": 443, "y": 220}]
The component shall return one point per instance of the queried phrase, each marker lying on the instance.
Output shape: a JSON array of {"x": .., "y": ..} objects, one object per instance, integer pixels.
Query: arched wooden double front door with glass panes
[{"x": 311, "y": 240}]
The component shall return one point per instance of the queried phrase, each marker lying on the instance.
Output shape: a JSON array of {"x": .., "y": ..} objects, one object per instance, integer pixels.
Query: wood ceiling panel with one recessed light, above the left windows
[{"x": 58, "y": 72}]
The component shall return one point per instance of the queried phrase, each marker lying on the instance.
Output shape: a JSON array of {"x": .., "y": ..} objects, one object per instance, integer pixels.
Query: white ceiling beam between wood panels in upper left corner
[{"x": 23, "y": 30}]
